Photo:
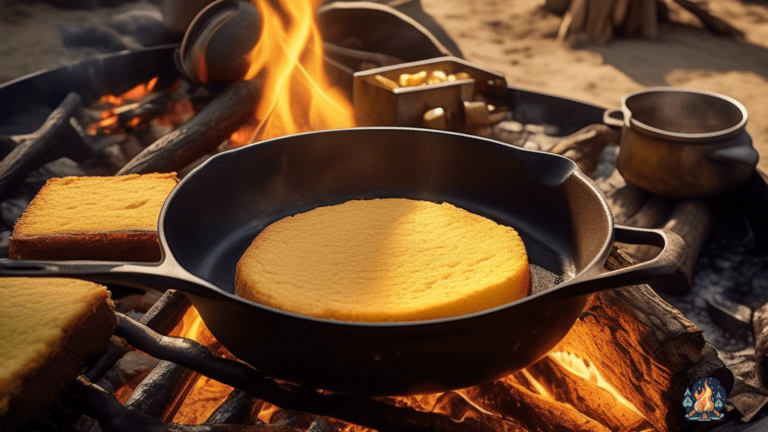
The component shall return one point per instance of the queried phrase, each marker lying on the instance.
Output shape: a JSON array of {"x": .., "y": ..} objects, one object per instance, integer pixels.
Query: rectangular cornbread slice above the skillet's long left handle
[{"x": 94, "y": 218}]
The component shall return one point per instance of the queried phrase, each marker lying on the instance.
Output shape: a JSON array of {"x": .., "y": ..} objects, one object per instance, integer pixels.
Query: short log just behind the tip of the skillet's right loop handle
[{"x": 693, "y": 221}]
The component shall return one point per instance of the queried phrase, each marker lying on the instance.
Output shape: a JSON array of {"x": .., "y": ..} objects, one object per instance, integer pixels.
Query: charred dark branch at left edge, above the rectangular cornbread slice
[{"x": 44, "y": 145}]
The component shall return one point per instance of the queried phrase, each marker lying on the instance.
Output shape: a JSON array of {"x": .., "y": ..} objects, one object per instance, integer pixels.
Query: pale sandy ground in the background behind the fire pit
[{"x": 516, "y": 38}]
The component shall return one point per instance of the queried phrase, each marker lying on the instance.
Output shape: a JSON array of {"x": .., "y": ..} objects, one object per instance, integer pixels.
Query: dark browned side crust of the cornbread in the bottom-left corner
[{"x": 44, "y": 378}]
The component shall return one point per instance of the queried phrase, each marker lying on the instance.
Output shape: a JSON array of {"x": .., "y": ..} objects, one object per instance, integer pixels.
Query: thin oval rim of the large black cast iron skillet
[{"x": 585, "y": 274}]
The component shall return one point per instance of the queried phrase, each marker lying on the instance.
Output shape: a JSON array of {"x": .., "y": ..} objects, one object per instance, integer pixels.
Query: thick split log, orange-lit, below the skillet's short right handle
[{"x": 640, "y": 344}]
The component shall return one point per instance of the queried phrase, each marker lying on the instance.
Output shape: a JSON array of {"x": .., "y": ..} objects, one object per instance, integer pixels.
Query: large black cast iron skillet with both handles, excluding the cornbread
[{"x": 214, "y": 213}]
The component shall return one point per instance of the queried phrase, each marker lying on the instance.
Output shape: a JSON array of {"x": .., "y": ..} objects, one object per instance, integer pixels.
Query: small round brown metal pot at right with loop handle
[{"x": 683, "y": 143}]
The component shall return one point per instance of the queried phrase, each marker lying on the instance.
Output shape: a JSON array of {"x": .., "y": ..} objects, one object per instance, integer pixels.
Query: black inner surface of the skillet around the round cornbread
[{"x": 215, "y": 213}]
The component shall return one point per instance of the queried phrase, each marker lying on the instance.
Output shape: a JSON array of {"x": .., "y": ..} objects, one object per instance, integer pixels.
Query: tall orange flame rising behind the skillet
[{"x": 297, "y": 96}]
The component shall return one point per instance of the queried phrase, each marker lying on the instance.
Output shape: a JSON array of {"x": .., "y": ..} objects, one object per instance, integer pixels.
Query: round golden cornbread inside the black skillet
[{"x": 384, "y": 260}]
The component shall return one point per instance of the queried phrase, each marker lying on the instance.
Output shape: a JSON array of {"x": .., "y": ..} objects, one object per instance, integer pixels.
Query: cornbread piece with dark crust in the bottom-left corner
[{"x": 48, "y": 329}]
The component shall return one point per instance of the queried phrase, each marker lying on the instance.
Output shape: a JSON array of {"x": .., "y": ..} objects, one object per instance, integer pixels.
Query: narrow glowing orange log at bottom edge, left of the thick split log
[{"x": 584, "y": 395}]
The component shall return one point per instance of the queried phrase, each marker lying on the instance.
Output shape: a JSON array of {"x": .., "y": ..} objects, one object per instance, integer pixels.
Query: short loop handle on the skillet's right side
[{"x": 666, "y": 264}]
